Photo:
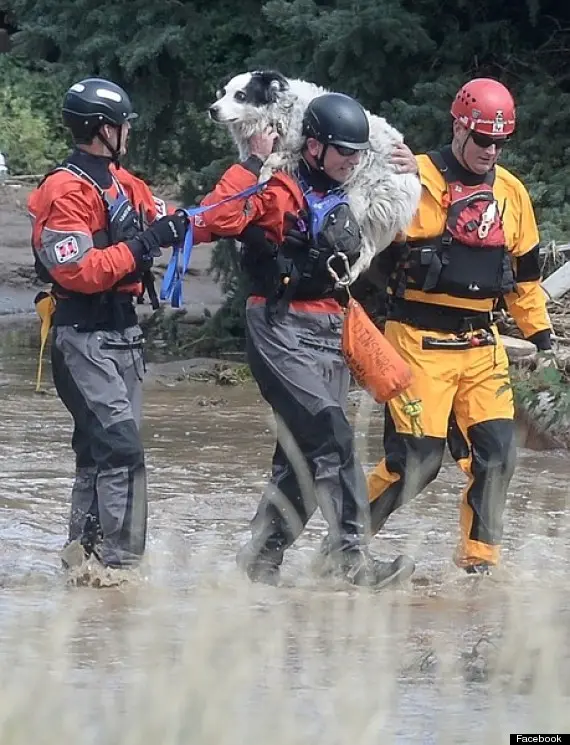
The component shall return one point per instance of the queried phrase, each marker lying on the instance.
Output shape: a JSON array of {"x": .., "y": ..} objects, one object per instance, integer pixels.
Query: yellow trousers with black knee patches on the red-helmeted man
[{"x": 467, "y": 401}]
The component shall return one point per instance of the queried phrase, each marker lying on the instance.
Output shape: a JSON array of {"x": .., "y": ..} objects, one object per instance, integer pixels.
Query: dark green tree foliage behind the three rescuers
[{"x": 404, "y": 59}]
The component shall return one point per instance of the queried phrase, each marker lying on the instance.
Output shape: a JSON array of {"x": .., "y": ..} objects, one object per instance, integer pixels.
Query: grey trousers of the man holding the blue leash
[{"x": 98, "y": 376}]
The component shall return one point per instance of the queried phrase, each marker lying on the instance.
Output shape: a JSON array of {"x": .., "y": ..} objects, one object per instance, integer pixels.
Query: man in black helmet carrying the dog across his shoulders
[{"x": 293, "y": 326}]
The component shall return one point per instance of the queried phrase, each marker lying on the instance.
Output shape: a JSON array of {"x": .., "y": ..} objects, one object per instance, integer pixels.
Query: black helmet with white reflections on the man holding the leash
[{"x": 93, "y": 102}]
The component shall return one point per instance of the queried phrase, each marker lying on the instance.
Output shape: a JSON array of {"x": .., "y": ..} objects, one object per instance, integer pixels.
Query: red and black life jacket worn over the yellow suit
[{"x": 470, "y": 259}]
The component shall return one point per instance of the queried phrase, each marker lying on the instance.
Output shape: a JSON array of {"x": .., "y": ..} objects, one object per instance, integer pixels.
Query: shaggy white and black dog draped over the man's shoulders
[{"x": 382, "y": 200}]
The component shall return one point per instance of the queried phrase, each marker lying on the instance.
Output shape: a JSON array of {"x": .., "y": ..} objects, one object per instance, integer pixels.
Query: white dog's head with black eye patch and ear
[{"x": 243, "y": 97}]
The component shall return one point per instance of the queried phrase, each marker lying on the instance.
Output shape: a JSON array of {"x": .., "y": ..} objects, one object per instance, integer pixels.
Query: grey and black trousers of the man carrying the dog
[{"x": 301, "y": 373}]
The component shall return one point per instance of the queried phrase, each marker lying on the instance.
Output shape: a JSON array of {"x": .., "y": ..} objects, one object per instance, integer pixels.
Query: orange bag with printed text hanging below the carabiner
[{"x": 374, "y": 363}]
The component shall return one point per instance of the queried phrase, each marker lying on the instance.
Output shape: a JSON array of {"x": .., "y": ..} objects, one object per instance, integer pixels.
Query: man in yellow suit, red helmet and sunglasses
[{"x": 473, "y": 243}]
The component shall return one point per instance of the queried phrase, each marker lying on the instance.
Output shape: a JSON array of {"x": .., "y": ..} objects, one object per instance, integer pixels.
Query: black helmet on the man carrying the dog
[{"x": 336, "y": 119}]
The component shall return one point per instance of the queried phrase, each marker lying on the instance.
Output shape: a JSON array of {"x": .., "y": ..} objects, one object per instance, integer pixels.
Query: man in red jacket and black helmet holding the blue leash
[{"x": 91, "y": 243}]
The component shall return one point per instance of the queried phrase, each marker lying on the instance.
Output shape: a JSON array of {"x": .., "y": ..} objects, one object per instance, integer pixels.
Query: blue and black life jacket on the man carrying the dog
[{"x": 333, "y": 243}]
